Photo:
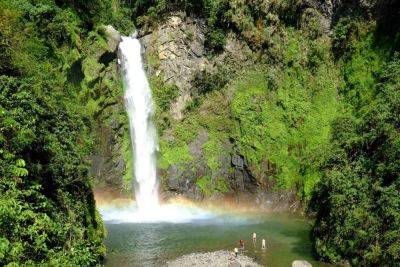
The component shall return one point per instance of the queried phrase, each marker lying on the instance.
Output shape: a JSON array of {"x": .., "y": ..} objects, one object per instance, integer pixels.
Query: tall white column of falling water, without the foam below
[{"x": 139, "y": 106}]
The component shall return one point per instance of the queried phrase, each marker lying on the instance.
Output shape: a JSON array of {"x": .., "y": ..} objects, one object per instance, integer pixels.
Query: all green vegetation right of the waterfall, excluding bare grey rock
[{"x": 314, "y": 114}]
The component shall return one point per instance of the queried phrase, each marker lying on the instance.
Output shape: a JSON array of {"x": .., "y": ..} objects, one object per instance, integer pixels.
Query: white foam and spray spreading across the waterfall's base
[{"x": 167, "y": 213}]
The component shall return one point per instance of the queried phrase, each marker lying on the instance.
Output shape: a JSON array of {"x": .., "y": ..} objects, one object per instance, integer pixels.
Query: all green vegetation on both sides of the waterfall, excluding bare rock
[{"x": 314, "y": 111}]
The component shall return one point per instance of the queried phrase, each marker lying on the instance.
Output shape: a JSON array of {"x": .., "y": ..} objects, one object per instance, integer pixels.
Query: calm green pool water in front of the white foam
[{"x": 287, "y": 240}]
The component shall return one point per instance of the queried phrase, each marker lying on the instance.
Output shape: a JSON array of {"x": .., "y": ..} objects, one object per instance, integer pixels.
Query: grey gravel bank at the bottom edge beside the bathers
[{"x": 221, "y": 258}]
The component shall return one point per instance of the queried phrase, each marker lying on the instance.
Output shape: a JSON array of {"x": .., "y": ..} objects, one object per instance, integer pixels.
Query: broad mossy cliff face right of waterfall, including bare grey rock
[{"x": 258, "y": 111}]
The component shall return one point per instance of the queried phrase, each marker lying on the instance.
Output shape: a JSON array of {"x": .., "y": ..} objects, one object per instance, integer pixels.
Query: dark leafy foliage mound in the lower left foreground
[{"x": 47, "y": 210}]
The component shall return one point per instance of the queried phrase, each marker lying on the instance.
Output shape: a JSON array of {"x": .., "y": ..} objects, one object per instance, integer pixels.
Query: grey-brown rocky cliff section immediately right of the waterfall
[{"x": 205, "y": 164}]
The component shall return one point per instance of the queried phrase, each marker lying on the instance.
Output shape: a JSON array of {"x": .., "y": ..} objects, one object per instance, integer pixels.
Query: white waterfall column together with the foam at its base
[{"x": 139, "y": 106}]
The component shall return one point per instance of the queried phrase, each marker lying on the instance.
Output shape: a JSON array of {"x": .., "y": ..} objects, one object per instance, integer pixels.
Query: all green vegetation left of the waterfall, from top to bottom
[{"x": 55, "y": 81}]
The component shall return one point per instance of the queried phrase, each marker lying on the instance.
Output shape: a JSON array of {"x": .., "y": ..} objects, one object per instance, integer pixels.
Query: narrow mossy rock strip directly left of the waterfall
[{"x": 102, "y": 86}]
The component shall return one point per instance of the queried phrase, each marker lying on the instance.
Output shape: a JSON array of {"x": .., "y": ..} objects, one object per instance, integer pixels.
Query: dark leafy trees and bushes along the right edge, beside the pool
[{"x": 357, "y": 201}]
